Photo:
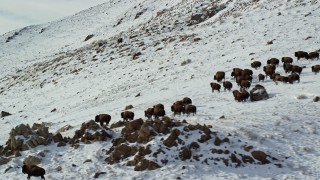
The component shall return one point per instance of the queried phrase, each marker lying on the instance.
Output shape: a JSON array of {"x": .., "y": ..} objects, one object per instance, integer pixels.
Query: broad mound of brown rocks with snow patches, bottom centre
[{"x": 151, "y": 144}]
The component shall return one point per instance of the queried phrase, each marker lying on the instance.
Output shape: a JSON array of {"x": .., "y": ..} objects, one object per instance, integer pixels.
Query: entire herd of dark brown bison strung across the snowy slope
[{"x": 243, "y": 78}]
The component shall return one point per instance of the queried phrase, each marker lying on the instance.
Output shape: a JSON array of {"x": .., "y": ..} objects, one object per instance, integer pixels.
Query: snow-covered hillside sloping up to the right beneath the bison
[{"x": 64, "y": 73}]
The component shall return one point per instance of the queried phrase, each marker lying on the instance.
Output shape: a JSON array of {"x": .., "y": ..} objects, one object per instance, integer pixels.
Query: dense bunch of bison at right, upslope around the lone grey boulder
[{"x": 243, "y": 77}]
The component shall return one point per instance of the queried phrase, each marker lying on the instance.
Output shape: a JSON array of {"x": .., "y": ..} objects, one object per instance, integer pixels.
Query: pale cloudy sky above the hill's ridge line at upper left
[{"x": 16, "y": 14}]
